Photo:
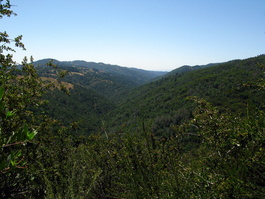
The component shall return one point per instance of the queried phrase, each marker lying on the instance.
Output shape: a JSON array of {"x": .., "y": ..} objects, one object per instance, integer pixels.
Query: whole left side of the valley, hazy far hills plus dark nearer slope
[{"x": 93, "y": 90}]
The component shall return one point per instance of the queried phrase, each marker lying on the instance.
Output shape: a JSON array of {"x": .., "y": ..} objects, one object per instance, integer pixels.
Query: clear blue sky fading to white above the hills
[{"x": 148, "y": 34}]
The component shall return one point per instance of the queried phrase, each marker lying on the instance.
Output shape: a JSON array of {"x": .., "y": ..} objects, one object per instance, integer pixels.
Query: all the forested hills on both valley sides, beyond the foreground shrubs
[{"x": 103, "y": 92}]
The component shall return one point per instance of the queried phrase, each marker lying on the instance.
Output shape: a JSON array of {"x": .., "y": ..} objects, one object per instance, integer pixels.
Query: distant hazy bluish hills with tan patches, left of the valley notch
[{"x": 108, "y": 80}]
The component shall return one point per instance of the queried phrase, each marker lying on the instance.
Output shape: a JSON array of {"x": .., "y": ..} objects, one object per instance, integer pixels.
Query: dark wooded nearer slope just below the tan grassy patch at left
[{"x": 82, "y": 106}]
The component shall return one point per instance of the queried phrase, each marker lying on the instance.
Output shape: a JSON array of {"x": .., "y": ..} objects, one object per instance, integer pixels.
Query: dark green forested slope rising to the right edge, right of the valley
[{"x": 165, "y": 100}]
